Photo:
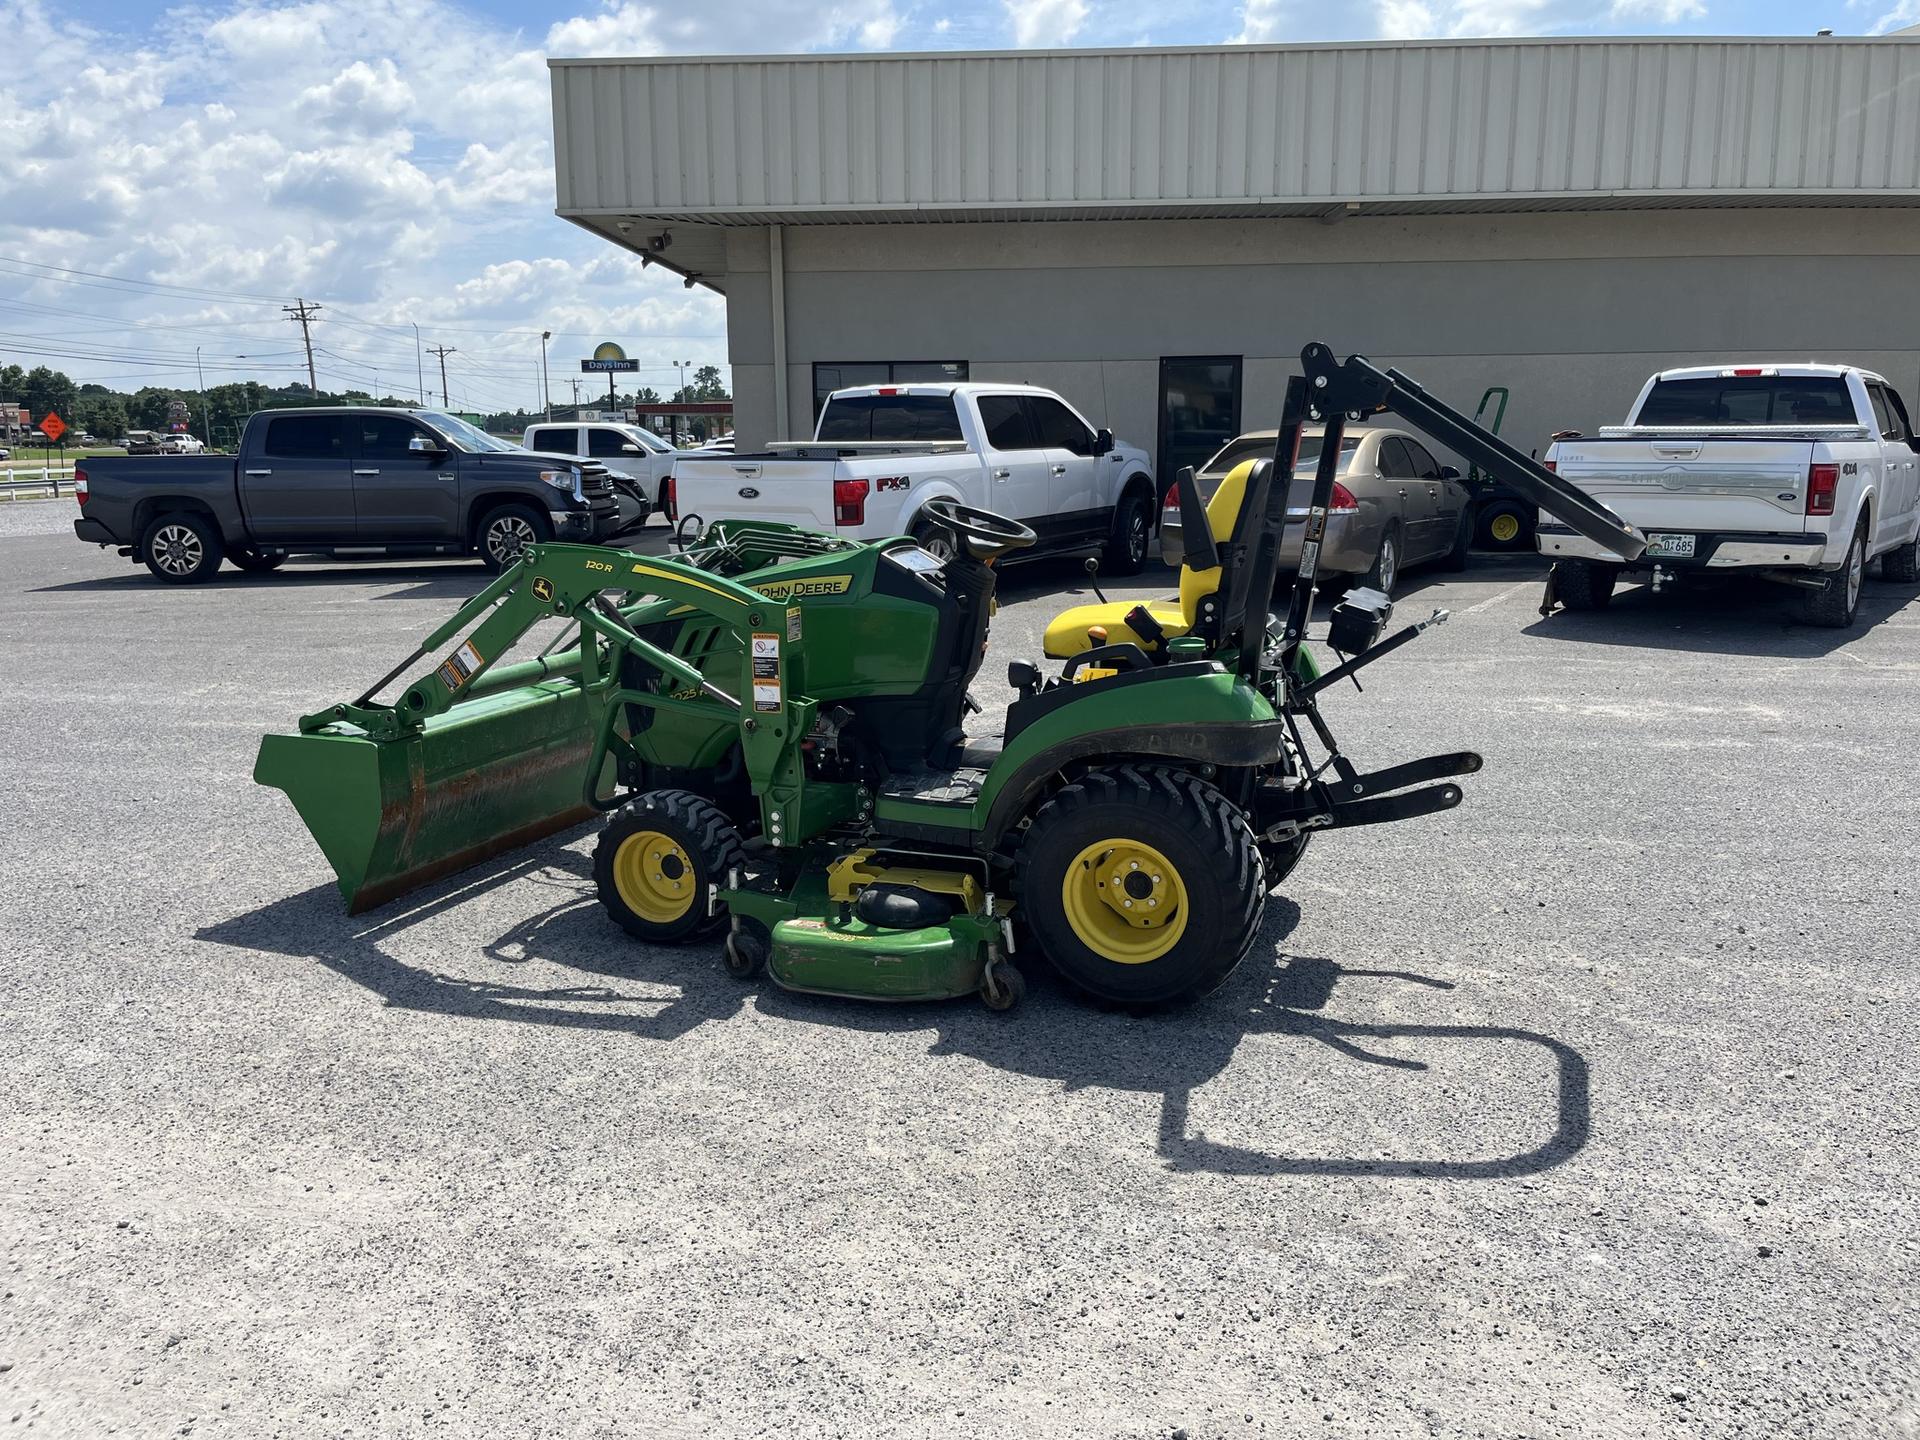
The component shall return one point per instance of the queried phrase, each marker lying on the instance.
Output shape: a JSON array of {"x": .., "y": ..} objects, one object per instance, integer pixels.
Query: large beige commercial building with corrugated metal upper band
[{"x": 1157, "y": 233}]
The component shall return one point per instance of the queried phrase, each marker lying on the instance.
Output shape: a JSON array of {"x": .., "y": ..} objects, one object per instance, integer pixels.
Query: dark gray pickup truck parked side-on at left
[{"x": 343, "y": 481}]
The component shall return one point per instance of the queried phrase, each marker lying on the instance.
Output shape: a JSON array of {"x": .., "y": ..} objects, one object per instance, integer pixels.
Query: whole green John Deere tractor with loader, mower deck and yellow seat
[{"x": 775, "y": 725}]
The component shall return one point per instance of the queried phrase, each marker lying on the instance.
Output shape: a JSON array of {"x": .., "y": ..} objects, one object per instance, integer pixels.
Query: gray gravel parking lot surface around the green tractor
[{"x": 1583, "y": 1111}]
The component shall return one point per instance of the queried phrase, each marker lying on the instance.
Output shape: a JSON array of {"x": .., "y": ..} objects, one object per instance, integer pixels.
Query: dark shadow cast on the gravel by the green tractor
[{"x": 1051, "y": 1038}]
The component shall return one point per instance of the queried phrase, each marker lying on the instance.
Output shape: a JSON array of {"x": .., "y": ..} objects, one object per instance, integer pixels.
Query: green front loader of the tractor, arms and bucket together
[{"x": 481, "y": 756}]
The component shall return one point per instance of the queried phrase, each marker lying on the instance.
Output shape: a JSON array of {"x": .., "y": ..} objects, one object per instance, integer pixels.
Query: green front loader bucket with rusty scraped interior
[{"x": 494, "y": 773}]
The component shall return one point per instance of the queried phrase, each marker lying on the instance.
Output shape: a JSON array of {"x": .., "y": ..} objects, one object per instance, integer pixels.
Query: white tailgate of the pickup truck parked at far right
[{"x": 1698, "y": 485}]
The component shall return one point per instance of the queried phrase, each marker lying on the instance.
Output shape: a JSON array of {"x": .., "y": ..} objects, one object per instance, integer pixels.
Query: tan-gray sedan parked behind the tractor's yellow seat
[{"x": 1393, "y": 506}]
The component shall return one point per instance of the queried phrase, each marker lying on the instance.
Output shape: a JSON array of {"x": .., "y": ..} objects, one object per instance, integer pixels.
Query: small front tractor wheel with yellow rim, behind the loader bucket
[{"x": 656, "y": 859}]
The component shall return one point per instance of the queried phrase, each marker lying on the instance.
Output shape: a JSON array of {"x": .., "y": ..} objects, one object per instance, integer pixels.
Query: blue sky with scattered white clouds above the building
[{"x": 170, "y": 178}]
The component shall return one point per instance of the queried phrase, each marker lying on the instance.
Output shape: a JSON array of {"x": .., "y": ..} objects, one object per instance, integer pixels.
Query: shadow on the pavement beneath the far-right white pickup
[{"x": 1735, "y": 619}]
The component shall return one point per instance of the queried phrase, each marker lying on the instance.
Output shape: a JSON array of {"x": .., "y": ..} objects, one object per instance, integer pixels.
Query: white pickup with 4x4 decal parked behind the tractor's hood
[{"x": 882, "y": 452}]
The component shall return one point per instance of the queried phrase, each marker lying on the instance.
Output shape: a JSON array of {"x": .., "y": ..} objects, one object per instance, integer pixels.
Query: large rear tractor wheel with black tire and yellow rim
[{"x": 1216, "y": 890}]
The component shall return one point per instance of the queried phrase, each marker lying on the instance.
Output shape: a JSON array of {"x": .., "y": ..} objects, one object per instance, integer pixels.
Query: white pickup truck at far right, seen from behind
[{"x": 1794, "y": 473}]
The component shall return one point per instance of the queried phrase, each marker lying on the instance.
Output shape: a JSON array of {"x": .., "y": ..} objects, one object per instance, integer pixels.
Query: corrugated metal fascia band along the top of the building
[{"x": 1401, "y": 128}]
